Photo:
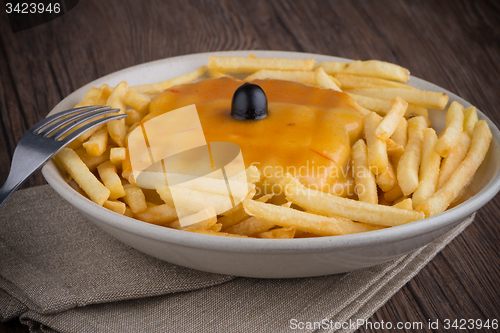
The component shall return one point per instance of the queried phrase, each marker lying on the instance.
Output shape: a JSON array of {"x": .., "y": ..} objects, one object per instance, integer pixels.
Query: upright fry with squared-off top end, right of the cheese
[{"x": 408, "y": 166}]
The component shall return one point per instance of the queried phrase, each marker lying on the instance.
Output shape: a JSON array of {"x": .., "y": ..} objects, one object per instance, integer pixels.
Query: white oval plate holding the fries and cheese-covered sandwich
[{"x": 272, "y": 258}]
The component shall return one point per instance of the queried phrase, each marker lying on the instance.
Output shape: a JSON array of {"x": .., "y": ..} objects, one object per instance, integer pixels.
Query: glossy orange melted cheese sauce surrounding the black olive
[{"x": 308, "y": 132}]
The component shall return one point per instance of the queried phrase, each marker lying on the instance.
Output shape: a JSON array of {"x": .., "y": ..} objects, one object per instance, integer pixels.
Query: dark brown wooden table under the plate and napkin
[{"x": 454, "y": 44}]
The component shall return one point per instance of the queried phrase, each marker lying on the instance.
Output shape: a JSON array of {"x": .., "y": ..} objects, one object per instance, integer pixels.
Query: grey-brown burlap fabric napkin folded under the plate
[{"x": 60, "y": 273}]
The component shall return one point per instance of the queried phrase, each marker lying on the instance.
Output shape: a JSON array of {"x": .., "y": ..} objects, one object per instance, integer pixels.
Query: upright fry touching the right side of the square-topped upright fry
[{"x": 429, "y": 168}]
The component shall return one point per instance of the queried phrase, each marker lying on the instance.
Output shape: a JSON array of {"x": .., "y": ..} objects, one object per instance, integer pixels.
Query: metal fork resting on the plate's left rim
[{"x": 45, "y": 139}]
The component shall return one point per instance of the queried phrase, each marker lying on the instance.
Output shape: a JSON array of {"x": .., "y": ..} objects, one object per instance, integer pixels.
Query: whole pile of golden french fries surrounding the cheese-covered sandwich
[{"x": 401, "y": 170}]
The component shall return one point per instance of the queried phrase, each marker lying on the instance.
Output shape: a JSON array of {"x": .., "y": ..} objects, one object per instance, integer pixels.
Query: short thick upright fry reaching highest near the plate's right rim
[{"x": 454, "y": 126}]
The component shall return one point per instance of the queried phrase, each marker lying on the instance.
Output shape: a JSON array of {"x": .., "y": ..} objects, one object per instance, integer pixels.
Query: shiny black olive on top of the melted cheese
[{"x": 249, "y": 103}]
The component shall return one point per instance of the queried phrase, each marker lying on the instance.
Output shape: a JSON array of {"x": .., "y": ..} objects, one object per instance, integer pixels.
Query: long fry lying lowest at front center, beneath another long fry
[{"x": 288, "y": 217}]
